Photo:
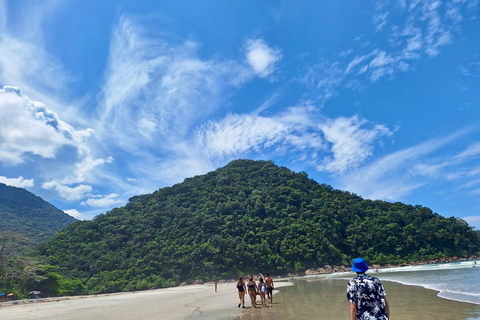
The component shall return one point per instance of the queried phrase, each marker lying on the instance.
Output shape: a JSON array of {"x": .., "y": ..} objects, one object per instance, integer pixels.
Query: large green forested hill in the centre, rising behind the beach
[{"x": 247, "y": 217}]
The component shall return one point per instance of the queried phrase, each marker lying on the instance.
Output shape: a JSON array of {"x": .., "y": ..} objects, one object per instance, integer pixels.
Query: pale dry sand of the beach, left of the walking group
[{"x": 188, "y": 302}]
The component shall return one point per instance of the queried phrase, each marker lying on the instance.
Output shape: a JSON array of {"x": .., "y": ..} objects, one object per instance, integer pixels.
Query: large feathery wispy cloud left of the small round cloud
[{"x": 157, "y": 88}]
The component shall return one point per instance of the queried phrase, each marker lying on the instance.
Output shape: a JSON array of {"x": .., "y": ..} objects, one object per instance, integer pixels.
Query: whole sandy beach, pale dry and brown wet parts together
[{"x": 309, "y": 299}]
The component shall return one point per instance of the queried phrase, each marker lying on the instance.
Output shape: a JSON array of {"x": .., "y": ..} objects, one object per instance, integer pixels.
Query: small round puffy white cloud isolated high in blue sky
[{"x": 261, "y": 58}]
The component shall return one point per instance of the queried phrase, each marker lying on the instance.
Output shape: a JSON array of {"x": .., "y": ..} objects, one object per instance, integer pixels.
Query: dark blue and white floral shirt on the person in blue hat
[{"x": 368, "y": 294}]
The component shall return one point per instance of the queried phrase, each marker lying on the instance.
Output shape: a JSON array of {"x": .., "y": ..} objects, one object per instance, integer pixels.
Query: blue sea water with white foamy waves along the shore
[{"x": 459, "y": 281}]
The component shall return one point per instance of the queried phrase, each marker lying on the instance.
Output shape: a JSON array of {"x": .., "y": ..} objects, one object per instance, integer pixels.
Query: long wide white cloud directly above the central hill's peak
[{"x": 332, "y": 145}]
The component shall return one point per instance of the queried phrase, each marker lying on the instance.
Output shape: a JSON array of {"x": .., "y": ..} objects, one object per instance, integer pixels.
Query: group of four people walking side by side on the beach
[{"x": 264, "y": 288}]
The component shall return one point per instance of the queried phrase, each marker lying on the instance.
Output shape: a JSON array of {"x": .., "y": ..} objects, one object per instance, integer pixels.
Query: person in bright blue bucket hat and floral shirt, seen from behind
[{"x": 366, "y": 295}]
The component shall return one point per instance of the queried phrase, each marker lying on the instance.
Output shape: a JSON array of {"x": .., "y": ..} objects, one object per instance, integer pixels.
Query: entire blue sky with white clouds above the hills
[{"x": 104, "y": 100}]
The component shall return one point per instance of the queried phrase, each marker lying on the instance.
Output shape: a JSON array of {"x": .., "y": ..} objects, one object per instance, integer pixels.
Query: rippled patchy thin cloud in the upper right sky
[{"x": 427, "y": 26}]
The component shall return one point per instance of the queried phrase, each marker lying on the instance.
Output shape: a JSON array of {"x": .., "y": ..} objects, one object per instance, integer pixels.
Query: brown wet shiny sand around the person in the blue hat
[{"x": 326, "y": 299}]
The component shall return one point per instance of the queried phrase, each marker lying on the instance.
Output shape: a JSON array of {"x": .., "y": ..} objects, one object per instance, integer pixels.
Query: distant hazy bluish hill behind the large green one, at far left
[{"x": 27, "y": 220}]
